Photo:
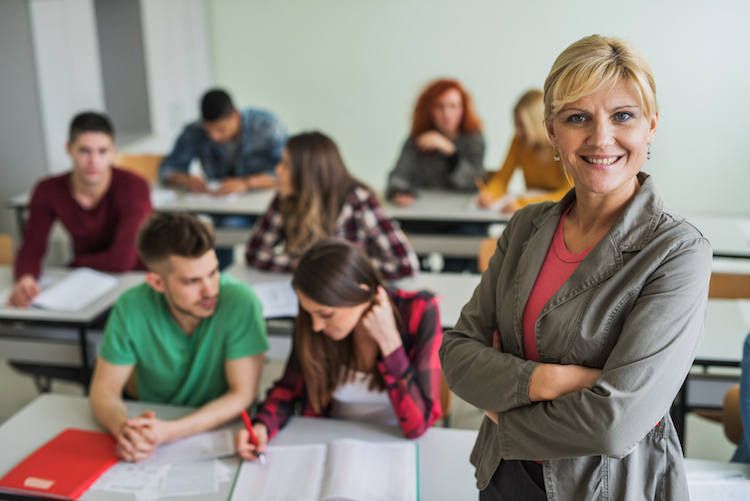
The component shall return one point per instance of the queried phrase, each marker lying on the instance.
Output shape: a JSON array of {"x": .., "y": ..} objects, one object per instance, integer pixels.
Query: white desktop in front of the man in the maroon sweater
[{"x": 82, "y": 317}]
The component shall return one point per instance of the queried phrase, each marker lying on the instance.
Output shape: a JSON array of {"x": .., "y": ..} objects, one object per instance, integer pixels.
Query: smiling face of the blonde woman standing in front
[{"x": 603, "y": 139}]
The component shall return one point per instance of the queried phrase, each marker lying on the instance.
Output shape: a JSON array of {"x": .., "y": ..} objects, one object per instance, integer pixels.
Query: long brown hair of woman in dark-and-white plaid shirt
[{"x": 321, "y": 184}]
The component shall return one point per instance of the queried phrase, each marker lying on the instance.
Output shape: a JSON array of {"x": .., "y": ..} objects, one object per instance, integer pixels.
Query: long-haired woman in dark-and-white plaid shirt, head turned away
[{"x": 318, "y": 198}]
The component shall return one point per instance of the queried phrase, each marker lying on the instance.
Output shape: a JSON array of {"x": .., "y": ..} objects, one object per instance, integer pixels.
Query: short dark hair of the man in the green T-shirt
[{"x": 167, "y": 234}]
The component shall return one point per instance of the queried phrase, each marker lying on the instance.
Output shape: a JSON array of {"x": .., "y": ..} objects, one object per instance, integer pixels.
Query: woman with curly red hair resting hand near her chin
[{"x": 445, "y": 148}]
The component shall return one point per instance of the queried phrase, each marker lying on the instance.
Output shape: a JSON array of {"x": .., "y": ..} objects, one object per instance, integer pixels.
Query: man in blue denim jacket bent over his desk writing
[{"x": 238, "y": 148}]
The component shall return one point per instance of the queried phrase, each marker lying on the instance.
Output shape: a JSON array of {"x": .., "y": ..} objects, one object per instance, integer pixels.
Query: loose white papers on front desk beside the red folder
[{"x": 184, "y": 468}]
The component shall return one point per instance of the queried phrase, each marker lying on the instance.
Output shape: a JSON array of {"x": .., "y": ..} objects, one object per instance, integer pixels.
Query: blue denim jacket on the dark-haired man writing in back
[{"x": 261, "y": 142}]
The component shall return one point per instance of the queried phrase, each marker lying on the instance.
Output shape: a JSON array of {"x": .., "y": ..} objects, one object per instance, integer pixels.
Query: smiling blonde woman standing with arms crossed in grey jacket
[{"x": 584, "y": 326}]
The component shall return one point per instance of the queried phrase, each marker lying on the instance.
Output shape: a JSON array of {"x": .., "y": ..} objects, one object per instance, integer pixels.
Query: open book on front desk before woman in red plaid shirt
[{"x": 344, "y": 470}]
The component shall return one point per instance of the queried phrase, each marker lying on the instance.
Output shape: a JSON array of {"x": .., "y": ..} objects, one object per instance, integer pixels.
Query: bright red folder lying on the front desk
[{"x": 64, "y": 467}]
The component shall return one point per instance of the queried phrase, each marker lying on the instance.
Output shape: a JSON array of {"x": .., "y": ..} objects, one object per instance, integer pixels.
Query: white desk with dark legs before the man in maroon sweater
[{"x": 18, "y": 325}]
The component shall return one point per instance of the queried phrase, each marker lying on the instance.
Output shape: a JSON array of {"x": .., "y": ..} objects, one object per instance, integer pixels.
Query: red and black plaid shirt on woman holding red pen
[{"x": 412, "y": 373}]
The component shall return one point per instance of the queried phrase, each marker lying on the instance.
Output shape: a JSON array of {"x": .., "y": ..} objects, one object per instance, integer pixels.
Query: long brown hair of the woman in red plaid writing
[{"x": 330, "y": 273}]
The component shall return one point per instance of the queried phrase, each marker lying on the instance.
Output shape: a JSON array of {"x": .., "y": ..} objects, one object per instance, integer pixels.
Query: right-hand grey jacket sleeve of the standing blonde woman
[{"x": 640, "y": 378}]
